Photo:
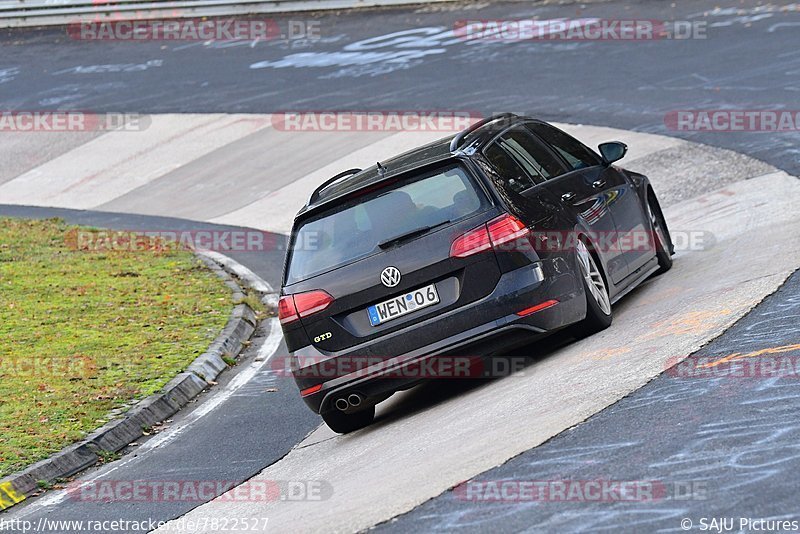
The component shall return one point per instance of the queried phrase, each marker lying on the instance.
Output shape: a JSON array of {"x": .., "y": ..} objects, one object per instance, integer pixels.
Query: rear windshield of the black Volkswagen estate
[{"x": 357, "y": 228}]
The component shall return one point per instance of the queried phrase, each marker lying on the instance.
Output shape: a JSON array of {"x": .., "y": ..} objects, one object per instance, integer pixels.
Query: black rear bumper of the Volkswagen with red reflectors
[{"x": 461, "y": 355}]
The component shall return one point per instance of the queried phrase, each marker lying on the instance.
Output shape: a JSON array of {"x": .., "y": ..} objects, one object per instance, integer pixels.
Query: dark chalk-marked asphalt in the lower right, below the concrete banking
[{"x": 716, "y": 445}]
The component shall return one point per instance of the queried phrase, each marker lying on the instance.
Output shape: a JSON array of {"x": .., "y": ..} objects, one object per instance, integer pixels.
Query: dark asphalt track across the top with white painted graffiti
[{"x": 748, "y": 60}]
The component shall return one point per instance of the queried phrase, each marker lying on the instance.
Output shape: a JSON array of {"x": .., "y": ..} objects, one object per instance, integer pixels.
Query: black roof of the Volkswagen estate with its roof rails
[{"x": 438, "y": 151}]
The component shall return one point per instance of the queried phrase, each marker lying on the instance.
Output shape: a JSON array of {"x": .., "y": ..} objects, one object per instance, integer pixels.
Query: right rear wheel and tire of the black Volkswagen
[{"x": 598, "y": 304}]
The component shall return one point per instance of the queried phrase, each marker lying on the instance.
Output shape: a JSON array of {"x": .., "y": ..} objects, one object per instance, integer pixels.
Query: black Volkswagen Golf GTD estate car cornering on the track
[{"x": 471, "y": 245}]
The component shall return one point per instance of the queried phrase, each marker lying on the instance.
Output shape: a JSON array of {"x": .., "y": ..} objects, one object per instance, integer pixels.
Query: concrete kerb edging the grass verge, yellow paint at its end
[{"x": 119, "y": 433}]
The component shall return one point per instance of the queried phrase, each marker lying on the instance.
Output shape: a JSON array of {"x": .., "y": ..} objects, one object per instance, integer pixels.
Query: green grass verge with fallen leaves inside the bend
[{"x": 85, "y": 334}]
